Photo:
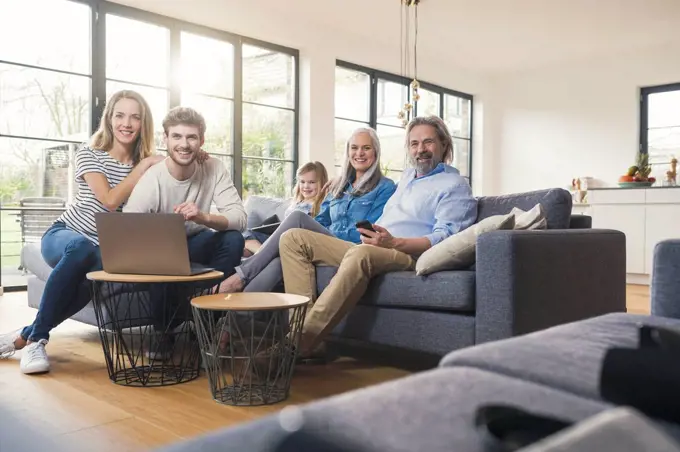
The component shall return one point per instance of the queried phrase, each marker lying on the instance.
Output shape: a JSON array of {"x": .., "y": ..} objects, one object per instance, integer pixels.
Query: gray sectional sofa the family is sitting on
[{"x": 523, "y": 281}]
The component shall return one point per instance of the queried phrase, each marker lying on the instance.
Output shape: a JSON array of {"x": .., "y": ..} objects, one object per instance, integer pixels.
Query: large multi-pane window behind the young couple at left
[{"x": 67, "y": 57}]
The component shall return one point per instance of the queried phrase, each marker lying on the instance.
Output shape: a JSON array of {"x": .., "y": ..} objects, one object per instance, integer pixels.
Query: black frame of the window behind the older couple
[{"x": 376, "y": 74}]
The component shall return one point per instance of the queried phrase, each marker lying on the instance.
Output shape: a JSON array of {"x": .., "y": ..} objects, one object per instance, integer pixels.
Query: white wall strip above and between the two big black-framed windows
[{"x": 319, "y": 48}]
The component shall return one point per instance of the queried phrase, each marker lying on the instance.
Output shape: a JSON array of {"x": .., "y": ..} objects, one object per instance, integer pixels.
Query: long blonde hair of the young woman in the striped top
[{"x": 103, "y": 137}]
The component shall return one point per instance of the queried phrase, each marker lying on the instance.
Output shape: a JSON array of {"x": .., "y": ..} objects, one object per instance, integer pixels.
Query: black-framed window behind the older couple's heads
[{"x": 372, "y": 98}]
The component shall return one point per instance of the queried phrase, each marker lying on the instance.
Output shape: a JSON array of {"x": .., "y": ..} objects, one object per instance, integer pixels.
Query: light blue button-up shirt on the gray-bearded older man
[{"x": 436, "y": 205}]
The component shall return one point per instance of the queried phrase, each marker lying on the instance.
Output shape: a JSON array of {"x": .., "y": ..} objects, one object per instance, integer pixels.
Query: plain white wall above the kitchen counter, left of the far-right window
[{"x": 551, "y": 125}]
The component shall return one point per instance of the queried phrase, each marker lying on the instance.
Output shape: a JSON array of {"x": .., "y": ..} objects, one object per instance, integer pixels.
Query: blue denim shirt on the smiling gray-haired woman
[{"x": 340, "y": 215}]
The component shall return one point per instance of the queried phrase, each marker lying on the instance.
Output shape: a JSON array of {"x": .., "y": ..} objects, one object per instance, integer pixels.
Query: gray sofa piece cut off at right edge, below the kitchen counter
[{"x": 666, "y": 279}]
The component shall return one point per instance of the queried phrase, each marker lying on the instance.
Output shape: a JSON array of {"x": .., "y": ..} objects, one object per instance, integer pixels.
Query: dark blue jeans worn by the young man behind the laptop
[{"x": 221, "y": 250}]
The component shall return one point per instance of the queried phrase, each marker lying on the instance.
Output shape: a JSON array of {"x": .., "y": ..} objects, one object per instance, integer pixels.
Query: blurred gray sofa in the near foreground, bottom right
[{"x": 553, "y": 373}]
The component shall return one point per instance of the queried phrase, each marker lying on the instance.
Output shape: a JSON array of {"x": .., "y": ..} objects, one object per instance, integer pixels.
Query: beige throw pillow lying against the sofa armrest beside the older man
[{"x": 459, "y": 251}]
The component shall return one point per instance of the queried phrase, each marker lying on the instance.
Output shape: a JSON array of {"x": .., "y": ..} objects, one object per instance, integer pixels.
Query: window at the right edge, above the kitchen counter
[{"x": 660, "y": 126}]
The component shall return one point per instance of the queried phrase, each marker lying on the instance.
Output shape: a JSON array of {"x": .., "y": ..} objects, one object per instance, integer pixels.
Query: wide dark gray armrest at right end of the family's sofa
[{"x": 531, "y": 280}]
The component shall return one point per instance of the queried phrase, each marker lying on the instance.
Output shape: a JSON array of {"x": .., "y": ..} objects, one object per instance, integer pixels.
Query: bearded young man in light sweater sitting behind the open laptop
[{"x": 183, "y": 186}]
